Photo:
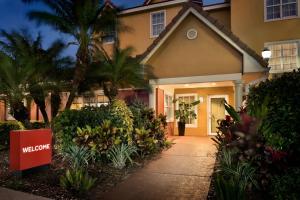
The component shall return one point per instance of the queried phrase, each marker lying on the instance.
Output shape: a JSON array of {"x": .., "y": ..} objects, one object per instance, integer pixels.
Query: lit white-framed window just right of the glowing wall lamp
[{"x": 284, "y": 57}]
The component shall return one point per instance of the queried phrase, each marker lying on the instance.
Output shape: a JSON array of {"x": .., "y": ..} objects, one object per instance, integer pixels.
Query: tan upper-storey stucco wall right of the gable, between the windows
[{"x": 248, "y": 24}]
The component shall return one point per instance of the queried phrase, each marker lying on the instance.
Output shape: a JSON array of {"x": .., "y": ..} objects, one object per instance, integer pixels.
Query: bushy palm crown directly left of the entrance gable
[{"x": 119, "y": 71}]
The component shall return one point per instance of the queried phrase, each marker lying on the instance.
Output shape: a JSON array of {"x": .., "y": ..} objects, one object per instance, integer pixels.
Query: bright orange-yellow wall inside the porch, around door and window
[{"x": 202, "y": 129}]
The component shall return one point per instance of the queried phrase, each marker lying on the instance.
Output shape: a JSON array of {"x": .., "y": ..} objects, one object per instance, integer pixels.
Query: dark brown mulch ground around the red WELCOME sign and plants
[{"x": 46, "y": 182}]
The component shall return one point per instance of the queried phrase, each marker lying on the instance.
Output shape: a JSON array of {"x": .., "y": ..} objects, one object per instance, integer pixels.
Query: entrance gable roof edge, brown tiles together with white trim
[{"x": 217, "y": 27}]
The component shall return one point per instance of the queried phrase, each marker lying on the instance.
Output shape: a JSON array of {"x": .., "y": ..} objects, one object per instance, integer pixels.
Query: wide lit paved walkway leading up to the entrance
[{"x": 182, "y": 172}]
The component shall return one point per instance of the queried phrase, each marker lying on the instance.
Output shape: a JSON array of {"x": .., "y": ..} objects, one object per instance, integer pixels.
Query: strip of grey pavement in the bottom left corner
[{"x": 7, "y": 194}]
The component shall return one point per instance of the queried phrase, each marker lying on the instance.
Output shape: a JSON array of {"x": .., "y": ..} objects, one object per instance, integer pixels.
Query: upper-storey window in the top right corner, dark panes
[{"x": 280, "y": 9}]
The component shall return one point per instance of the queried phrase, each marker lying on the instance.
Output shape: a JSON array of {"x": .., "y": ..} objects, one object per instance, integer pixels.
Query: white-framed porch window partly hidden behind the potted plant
[{"x": 188, "y": 98}]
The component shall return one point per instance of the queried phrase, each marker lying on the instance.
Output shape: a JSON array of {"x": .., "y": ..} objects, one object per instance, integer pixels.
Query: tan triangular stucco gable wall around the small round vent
[{"x": 208, "y": 54}]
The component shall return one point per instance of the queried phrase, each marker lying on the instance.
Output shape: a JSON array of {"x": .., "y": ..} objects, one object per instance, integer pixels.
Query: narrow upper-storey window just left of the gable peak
[{"x": 157, "y": 23}]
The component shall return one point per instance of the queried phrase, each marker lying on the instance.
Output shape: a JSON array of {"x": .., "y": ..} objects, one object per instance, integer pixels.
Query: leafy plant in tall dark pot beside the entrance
[{"x": 184, "y": 112}]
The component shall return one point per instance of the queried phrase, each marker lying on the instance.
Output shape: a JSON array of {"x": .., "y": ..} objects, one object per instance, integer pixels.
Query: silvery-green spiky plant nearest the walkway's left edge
[{"x": 119, "y": 155}]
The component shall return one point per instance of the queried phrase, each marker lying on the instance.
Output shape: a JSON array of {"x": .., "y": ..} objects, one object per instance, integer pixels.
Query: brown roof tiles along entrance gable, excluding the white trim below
[{"x": 214, "y": 22}]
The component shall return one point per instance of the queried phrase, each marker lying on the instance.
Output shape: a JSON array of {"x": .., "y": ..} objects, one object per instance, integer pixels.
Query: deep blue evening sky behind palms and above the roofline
[{"x": 13, "y": 16}]
